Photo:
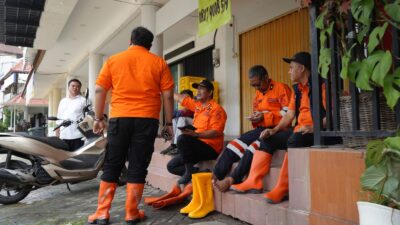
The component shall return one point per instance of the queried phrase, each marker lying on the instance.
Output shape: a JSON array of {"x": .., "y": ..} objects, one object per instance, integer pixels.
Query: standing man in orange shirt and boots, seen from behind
[{"x": 139, "y": 79}]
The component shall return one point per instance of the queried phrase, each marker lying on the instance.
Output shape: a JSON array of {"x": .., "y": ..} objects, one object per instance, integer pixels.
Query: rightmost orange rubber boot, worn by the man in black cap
[{"x": 281, "y": 189}]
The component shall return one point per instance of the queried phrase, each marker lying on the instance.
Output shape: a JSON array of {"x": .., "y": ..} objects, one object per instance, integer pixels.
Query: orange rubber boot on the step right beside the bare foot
[{"x": 259, "y": 168}]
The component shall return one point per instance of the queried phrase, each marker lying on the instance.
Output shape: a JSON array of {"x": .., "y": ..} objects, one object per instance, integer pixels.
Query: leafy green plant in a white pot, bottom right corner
[{"x": 381, "y": 180}]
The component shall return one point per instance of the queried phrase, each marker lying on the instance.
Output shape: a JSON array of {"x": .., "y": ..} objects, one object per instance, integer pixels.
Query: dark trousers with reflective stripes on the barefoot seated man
[{"x": 231, "y": 155}]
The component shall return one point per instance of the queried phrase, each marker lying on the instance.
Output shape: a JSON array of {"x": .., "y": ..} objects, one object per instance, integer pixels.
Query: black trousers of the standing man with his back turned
[{"x": 132, "y": 139}]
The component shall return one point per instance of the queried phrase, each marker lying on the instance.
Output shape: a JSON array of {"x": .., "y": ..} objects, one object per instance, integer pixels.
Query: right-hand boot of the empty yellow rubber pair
[{"x": 205, "y": 190}]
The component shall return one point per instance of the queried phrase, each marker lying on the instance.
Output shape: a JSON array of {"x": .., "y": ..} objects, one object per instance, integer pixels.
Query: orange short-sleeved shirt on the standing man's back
[{"x": 137, "y": 78}]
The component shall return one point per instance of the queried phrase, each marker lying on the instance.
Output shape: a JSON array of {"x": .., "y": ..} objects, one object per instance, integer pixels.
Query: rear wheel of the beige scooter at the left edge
[{"x": 12, "y": 193}]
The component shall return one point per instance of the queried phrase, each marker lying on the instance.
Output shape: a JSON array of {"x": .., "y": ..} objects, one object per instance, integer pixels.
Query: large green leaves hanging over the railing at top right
[{"x": 365, "y": 59}]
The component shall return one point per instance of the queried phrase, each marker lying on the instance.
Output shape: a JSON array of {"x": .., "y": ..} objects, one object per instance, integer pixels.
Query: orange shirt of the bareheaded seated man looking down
[{"x": 274, "y": 100}]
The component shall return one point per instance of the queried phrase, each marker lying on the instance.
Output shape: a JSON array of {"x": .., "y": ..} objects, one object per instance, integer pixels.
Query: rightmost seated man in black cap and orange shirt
[{"x": 300, "y": 108}]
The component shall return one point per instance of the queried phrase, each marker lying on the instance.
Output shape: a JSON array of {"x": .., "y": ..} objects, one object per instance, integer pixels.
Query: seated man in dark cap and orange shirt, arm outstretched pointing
[{"x": 206, "y": 142}]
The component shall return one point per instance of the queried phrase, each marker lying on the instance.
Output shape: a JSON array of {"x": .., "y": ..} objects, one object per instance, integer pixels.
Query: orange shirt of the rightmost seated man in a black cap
[{"x": 305, "y": 114}]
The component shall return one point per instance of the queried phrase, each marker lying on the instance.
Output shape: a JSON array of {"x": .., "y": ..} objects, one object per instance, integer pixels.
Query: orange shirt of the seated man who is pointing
[{"x": 210, "y": 117}]
